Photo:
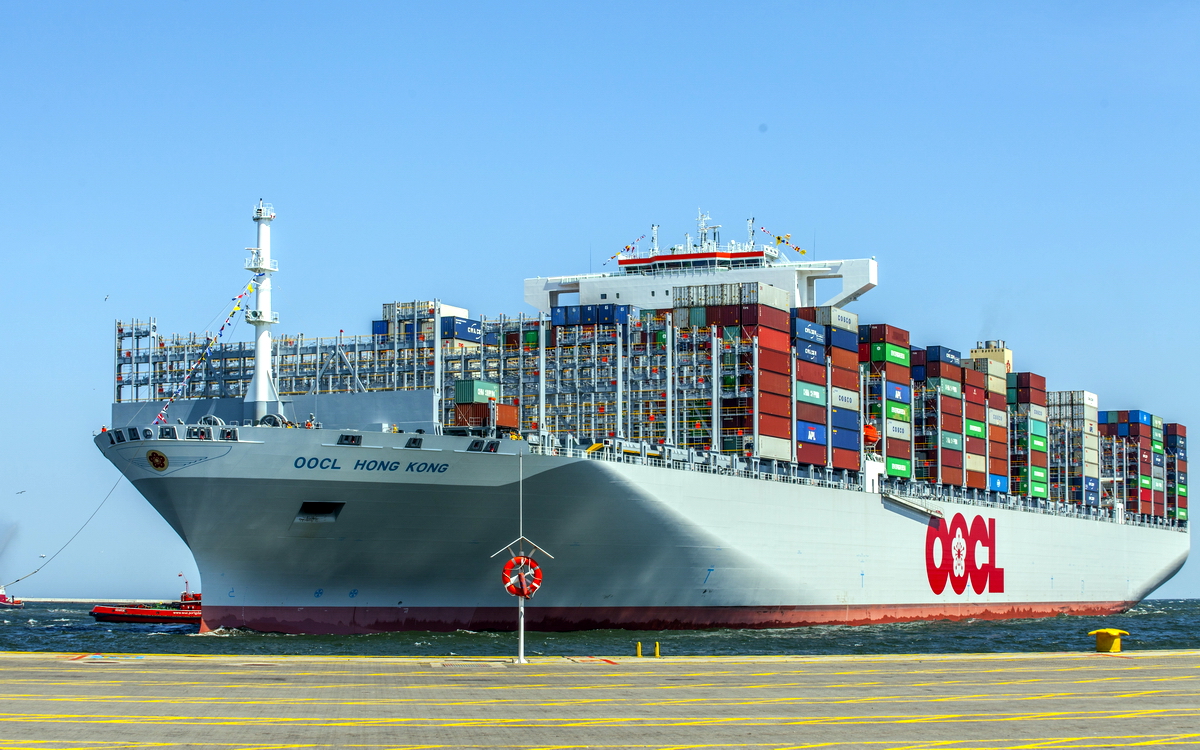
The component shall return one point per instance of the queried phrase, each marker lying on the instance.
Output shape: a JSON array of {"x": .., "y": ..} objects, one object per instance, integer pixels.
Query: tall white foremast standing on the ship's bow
[{"x": 262, "y": 398}]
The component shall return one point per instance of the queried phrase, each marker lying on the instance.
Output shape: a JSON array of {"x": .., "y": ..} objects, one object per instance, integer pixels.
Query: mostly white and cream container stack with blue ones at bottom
[{"x": 1075, "y": 447}]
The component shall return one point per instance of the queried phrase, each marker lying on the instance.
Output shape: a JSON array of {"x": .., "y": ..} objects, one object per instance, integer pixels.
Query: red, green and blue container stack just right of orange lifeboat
[{"x": 890, "y": 394}]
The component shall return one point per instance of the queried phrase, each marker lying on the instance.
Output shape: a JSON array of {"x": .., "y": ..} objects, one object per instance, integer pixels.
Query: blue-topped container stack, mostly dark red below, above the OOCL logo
[{"x": 938, "y": 404}]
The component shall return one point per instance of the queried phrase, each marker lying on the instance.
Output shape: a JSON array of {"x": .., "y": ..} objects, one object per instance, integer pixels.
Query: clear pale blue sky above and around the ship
[{"x": 1022, "y": 171}]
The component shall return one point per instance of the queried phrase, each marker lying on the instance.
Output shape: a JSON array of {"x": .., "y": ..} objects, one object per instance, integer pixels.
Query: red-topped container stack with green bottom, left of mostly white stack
[{"x": 1029, "y": 441}]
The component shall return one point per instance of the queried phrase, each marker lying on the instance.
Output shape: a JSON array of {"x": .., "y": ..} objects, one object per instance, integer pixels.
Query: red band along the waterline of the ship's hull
[{"x": 377, "y": 620}]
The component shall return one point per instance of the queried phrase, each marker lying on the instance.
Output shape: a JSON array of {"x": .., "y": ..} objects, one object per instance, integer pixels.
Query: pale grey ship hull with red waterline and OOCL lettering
[{"x": 634, "y": 545}]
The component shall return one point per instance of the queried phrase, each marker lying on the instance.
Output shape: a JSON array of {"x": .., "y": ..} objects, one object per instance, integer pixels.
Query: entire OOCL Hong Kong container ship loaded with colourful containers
[{"x": 698, "y": 440}]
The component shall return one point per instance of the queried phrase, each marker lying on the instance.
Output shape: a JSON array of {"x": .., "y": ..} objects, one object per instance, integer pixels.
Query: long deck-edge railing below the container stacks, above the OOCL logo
[{"x": 919, "y": 491}]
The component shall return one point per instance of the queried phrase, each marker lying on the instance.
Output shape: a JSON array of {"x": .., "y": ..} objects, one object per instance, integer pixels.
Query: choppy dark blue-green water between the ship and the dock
[{"x": 1154, "y": 626}]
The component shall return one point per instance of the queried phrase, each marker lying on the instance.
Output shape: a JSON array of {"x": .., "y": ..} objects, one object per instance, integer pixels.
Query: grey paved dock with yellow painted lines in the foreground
[{"x": 991, "y": 703}]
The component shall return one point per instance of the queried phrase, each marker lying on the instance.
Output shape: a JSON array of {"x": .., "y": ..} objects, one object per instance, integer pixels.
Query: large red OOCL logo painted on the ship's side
[{"x": 959, "y": 554}]
